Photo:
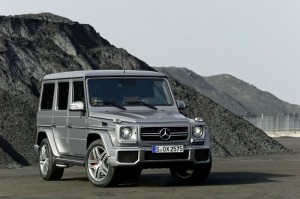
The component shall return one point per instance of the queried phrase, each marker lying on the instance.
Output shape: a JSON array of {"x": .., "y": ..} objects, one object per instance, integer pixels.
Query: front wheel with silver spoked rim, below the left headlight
[{"x": 99, "y": 171}]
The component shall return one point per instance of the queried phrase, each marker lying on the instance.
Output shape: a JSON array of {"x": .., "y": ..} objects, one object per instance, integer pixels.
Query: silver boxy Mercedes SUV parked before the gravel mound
[{"x": 116, "y": 123}]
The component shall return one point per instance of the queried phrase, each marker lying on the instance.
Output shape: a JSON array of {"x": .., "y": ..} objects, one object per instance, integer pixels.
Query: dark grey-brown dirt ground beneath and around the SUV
[{"x": 243, "y": 177}]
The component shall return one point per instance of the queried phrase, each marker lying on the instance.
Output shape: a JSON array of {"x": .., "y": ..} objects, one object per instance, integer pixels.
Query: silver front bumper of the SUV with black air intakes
[{"x": 143, "y": 156}]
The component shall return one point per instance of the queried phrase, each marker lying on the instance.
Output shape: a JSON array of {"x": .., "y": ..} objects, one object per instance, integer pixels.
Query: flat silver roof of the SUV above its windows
[{"x": 103, "y": 73}]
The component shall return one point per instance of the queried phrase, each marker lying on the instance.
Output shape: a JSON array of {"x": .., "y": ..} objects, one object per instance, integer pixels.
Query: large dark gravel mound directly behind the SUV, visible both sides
[{"x": 32, "y": 46}]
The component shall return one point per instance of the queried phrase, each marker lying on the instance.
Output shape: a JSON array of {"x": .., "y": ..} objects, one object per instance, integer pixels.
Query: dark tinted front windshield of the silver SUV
[{"x": 120, "y": 92}]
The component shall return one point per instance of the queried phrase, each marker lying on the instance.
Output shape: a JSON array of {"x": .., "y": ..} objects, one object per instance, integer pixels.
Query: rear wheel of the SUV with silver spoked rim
[{"x": 47, "y": 167}]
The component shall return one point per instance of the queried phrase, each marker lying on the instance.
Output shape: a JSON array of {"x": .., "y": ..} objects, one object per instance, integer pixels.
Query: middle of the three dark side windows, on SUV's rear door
[{"x": 63, "y": 95}]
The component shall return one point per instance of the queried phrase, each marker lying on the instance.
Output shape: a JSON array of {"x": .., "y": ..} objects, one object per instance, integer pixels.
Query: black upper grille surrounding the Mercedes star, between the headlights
[{"x": 153, "y": 133}]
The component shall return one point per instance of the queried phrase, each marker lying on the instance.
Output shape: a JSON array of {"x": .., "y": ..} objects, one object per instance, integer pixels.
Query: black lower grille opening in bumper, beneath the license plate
[{"x": 166, "y": 156}]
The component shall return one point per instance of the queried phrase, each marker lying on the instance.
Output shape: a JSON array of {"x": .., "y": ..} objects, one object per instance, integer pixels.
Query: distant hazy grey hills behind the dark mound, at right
[{"x": 233, "y": 94}]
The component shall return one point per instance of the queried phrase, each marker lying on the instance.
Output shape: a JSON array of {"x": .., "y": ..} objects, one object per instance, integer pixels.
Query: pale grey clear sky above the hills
[{"x": 257, "y": 41}]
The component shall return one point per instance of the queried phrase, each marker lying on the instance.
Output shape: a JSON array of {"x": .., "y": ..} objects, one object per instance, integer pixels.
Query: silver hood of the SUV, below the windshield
[{"x": 142, "y": 116}]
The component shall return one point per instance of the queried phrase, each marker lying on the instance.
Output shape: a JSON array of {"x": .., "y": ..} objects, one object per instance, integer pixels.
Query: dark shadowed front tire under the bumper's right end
[{"x": 191, "y": 175}]
